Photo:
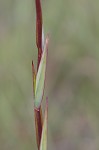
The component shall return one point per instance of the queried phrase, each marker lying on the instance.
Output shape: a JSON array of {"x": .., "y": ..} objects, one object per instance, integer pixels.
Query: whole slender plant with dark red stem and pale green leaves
[{"x": 39, "y": 81}]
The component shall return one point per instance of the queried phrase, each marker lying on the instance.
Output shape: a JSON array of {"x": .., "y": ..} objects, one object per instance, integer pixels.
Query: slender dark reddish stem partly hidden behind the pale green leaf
[{"x": 38, "y": 113}]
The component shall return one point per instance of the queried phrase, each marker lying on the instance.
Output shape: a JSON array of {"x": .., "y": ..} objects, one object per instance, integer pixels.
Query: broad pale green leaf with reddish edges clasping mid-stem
[{"x": 40, "y": 78}]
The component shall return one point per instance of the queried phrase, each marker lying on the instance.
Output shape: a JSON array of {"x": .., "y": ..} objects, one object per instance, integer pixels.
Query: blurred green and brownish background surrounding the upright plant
[{"x": 72, "y": 82}]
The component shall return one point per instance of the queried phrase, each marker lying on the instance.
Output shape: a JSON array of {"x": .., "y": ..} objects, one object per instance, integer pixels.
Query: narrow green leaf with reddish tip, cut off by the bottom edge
[{"x": 43, "y": 144}]
